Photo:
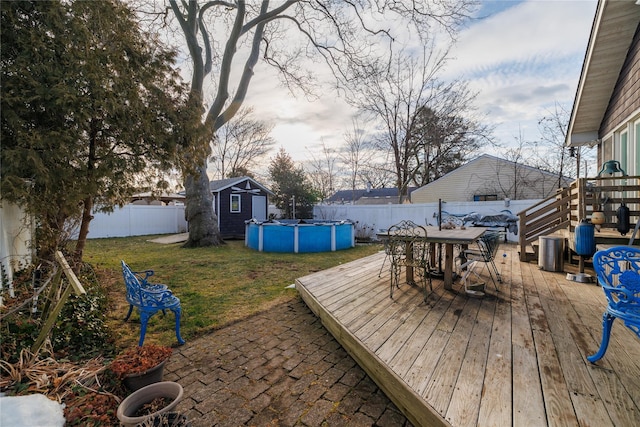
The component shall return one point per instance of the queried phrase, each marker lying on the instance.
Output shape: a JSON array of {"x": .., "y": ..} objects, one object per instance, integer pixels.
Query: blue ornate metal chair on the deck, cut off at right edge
[{"x": 618, "y": 271}]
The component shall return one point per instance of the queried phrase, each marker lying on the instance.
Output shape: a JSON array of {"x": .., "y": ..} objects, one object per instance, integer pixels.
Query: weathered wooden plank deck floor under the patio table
[{"x": 516, "y": 357}]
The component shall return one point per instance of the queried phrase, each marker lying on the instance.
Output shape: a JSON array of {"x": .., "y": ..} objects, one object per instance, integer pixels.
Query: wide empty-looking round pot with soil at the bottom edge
[{"x": 128, "y": 409}]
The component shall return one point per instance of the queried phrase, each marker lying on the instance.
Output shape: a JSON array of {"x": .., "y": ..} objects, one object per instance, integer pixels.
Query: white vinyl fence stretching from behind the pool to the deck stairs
[{"x": 371, "y": 218}]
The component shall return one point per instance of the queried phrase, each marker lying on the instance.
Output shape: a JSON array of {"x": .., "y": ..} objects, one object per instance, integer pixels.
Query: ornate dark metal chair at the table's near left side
[{"x": 408, "y": 248}]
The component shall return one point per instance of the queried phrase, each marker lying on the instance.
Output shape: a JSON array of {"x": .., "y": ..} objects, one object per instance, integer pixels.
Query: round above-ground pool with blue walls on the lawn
[{"x": 299, "y": 236}]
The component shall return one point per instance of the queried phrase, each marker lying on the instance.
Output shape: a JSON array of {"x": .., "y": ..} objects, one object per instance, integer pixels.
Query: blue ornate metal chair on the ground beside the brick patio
[{"x": 149, "y": 298}]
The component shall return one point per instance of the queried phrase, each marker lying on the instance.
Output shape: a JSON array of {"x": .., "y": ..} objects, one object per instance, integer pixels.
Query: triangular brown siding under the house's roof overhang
[{"x": 625, "y": 99}]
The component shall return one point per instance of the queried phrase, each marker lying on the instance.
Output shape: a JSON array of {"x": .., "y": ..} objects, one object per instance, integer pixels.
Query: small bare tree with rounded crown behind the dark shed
[{"x": 240, "y": 143}]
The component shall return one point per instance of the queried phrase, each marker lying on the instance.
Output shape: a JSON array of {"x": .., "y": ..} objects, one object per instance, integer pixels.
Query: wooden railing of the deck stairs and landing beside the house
[{"x": 565, "y": 209}]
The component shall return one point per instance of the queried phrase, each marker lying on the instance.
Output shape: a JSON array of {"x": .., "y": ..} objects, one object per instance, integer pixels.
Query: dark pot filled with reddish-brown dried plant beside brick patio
[{"x": 141, "y": 366}]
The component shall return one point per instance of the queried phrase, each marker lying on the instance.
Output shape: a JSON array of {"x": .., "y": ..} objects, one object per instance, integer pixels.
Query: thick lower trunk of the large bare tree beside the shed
[{"x": 202, "y": 220}]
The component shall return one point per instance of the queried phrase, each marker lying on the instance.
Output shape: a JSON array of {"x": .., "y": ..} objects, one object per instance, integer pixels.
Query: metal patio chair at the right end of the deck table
[{"x": 484, "y": 254}]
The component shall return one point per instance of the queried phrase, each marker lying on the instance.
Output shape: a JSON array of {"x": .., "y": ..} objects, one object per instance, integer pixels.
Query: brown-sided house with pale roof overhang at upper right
[{"x": 606, "y": 110}]
